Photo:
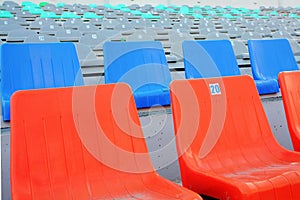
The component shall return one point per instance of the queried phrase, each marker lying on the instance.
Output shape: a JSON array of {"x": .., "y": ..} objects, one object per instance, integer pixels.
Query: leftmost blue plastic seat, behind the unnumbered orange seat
[{"x": 32, "y": 66}]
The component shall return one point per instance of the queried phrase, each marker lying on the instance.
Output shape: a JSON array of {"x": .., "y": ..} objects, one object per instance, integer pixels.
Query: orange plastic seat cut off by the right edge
[{"x": 290, "y": 90}]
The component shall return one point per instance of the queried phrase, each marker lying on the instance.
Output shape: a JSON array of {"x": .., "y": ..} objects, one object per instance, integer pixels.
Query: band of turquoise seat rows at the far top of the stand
[{"x": 61, "y": 10}]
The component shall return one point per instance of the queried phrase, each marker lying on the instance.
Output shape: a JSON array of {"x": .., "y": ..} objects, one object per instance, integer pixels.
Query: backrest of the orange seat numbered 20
[{"x": 214, "y": 118}]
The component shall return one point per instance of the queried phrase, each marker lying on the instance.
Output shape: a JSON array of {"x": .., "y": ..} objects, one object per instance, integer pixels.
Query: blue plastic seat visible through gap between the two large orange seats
[{"x": 143, "y": 66}]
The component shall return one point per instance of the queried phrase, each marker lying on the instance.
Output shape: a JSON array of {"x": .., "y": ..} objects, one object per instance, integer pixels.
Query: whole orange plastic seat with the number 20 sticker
[{"x": 226, "y": 145}]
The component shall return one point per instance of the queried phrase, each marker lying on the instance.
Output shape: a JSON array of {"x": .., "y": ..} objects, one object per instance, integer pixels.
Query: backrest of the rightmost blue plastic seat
[{"x": 269, "y": 57}]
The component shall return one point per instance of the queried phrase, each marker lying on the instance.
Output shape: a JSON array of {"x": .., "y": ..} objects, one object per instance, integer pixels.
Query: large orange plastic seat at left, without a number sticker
[{"x": 82, "y": 143}]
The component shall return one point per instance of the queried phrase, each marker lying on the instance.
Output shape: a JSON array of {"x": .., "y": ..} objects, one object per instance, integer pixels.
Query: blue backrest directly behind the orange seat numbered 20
[{"x": 209, "y": 58}]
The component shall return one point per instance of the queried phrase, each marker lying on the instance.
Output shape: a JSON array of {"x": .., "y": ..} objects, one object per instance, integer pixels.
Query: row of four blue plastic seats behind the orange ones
[{"x": 142, "y": 65}]
